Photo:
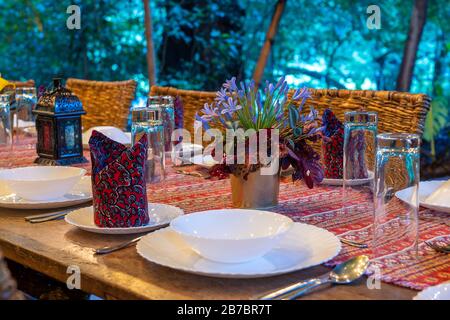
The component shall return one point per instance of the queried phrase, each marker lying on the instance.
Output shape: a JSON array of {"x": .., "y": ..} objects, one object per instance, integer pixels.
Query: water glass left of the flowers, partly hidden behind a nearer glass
[{"x": 167, "y": 117}]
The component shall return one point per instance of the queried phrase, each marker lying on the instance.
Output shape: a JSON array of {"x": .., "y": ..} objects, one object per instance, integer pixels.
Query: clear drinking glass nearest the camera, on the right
[{"x": 398, "y": 167}]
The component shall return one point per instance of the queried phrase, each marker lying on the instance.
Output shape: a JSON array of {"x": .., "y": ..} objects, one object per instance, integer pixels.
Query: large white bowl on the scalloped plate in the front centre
[{"x": 232, "y": 235}]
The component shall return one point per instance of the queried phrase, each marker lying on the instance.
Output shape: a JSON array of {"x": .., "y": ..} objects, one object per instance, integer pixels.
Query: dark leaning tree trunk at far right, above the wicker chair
[{"x": 417, "y": 22}]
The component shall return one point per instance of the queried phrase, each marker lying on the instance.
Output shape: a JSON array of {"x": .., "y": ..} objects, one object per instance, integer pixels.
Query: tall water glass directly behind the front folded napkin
[{"x": 148, "y": 120}]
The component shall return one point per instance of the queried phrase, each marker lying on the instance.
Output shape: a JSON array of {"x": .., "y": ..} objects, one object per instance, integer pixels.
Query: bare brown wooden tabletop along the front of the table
[{"x": 52, "y": 247}]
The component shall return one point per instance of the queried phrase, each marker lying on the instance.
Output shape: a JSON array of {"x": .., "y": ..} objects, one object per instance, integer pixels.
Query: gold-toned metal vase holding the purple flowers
[{"x": 257, "y": 192}]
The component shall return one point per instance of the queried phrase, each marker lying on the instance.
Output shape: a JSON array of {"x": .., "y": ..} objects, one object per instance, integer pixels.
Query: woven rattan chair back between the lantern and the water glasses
[{"x": 105, "y": 103}]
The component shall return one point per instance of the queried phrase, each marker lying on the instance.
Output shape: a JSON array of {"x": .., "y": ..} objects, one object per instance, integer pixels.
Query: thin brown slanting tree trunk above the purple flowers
[{"x": 268, "y": 42}]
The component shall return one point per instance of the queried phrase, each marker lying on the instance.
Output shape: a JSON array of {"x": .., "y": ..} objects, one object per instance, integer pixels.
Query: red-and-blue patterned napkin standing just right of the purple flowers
[{"x": 333, "y": 145}]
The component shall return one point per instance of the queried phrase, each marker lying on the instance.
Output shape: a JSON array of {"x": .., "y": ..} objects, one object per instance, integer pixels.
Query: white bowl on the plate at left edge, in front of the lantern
[{"x": 41, "y": 183}]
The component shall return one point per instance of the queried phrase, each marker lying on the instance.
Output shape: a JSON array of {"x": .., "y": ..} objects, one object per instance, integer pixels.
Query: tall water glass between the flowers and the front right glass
[{"x": 360, "y": 130}]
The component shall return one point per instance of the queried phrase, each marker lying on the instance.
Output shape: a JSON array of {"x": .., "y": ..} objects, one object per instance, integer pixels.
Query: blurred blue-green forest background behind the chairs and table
[{"x": 199, "y": 44}]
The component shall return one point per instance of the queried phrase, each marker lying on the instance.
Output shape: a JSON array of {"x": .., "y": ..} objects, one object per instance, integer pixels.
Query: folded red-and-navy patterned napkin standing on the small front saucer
[{"x": 118, "y": 182}]
